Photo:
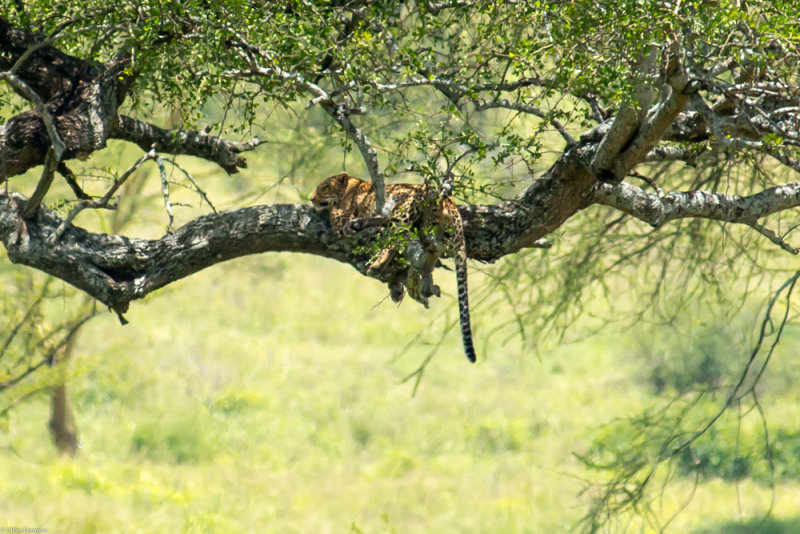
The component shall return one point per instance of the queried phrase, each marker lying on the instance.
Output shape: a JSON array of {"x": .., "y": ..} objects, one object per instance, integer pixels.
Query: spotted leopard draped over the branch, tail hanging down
[{"x": 349, "y": 203}]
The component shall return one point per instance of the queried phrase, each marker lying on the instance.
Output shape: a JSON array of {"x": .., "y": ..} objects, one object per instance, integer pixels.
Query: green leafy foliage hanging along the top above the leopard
[{"x": 570, "y": 60}]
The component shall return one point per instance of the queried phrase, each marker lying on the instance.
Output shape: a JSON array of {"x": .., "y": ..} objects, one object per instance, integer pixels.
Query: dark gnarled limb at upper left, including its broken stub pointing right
[{"x": 83, "y": 98}]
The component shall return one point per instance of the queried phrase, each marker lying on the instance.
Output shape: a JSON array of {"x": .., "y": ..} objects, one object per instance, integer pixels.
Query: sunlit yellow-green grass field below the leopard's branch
[{"x": 266, "y": 395}]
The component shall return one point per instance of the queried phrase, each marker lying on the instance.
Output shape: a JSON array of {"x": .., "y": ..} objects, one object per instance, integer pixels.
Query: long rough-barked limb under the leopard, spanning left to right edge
[{"x": 117, "y": 270}]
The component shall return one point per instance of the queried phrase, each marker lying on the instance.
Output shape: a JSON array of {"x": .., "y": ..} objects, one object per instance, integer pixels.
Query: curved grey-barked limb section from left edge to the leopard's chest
[{"x": 116, "y": 270}]
